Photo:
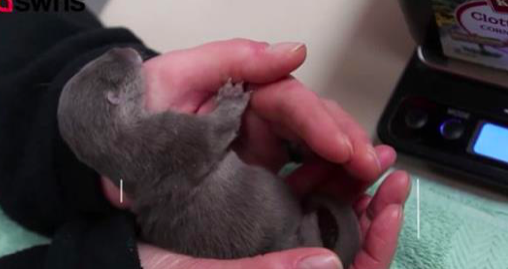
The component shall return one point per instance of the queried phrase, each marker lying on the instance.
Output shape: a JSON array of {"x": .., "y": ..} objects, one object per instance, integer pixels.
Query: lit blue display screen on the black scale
[{"x": 492, "y": 142}]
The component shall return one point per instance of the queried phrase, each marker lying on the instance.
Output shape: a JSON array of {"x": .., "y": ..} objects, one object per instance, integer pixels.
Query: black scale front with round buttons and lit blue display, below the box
[{"x": 449, "y": 119}]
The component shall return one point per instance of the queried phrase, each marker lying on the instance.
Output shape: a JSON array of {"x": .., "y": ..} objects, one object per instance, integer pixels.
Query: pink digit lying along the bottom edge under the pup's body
[{"x": 304, "y": 258}]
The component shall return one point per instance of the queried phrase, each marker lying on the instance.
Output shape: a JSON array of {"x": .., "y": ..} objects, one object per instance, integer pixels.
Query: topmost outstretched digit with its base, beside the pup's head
[{"x": 194, "y": 75}]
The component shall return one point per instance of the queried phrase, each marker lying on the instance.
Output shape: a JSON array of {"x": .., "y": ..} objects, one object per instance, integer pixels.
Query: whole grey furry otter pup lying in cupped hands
[{"x": 190, "y": 192}]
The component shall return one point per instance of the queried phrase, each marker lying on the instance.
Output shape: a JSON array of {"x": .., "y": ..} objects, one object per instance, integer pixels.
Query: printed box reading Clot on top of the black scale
[{"x": 474, "y": 31}]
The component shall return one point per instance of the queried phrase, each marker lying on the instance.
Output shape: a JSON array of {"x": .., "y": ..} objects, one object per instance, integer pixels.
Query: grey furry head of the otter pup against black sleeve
[{"x": 96, "y": 100}]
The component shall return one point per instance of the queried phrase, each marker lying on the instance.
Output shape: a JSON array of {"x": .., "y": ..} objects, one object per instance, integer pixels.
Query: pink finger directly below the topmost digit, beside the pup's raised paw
[{"x": 290, "y": 104}]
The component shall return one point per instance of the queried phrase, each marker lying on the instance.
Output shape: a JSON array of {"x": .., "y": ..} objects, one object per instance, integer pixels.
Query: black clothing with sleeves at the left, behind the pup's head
[{"x": 43, "y": 186}]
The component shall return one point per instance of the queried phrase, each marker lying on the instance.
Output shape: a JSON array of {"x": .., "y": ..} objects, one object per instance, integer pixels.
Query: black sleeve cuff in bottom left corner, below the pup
[{"x": 85, "y": 243}]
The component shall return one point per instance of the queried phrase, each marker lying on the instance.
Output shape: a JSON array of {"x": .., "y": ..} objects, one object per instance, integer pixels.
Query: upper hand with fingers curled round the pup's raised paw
[{"x": 282, "y": 108}]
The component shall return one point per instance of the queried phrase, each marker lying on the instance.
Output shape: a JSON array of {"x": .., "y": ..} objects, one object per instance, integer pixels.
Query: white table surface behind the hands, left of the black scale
[{"x": 357, "y": 50}]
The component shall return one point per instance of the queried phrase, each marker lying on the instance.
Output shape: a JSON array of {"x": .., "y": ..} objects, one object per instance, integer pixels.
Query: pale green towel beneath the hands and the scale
[{"x": 457, "y": 230}]
